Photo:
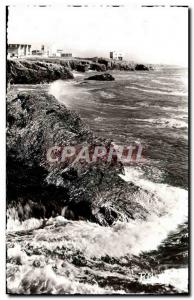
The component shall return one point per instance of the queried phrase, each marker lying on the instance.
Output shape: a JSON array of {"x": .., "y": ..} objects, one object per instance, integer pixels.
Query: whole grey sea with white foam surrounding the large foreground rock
[{"x": 79, "y": 257}]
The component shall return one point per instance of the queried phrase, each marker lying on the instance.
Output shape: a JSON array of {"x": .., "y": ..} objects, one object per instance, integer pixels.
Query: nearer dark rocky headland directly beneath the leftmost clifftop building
[{"x": 32, "y": 72}]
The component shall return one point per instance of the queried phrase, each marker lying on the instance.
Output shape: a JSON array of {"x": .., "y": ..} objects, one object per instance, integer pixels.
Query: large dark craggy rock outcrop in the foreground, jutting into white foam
[{"x": 38, "y": 188}]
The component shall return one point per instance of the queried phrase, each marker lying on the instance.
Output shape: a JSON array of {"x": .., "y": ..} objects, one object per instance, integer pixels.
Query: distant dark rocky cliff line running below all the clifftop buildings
[{"x": 42, "y": 70}]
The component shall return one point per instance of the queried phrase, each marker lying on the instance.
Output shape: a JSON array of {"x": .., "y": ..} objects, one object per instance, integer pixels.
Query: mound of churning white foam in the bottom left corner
[{"x": 45, "y": 280}]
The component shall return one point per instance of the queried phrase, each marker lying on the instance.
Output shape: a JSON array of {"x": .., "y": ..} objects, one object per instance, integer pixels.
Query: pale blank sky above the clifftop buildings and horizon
[{"x": 150, "y": 35}]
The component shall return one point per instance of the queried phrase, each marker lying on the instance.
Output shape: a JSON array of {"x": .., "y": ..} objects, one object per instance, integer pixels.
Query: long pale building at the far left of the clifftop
[{"x": 18, "y": 50}]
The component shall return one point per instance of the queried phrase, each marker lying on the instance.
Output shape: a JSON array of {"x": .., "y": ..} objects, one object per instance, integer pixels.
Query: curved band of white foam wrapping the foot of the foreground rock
[{"x": 167, "y": 208}]
